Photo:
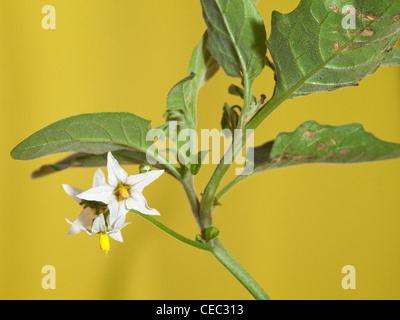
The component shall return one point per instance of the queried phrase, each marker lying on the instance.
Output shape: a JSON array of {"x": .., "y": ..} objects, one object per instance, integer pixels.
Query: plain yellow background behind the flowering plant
[{"x": 292, "y": 229}]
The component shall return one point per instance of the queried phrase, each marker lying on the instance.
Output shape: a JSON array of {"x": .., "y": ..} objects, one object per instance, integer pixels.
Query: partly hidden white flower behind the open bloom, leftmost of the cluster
[{"x": 90, "y": 211}]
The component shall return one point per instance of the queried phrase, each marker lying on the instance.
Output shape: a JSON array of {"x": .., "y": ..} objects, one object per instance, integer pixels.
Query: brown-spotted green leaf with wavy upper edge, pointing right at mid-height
[{"x": 315, "y": 143}]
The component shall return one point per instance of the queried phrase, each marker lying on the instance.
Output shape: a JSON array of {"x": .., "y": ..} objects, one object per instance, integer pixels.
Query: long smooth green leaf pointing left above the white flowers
[{"x": 95, "y": 133}]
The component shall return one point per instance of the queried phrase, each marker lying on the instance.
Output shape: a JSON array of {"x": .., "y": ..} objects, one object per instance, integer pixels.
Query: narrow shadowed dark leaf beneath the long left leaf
[{"x": 84, "y": 160}]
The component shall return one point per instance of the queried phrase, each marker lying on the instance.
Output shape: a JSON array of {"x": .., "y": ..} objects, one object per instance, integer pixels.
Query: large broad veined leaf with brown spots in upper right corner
[{"x": 313, "y": 52}]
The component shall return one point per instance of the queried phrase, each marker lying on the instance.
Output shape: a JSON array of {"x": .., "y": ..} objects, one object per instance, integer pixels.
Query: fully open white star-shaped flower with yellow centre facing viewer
[{"x": 123, "y": 192}]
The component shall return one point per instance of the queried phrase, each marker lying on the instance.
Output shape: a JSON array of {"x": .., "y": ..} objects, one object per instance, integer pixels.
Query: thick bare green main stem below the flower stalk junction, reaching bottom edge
[{"x": 219, "y": 251}]
